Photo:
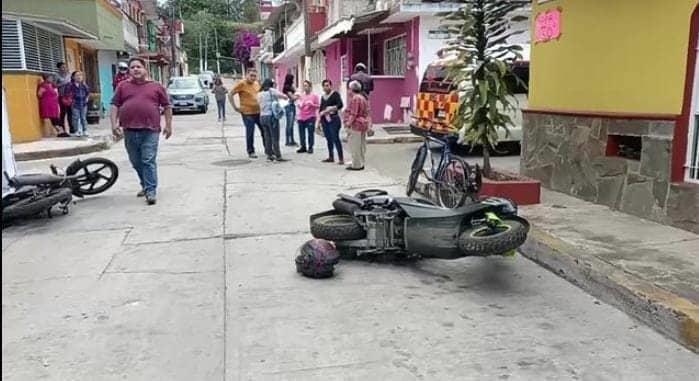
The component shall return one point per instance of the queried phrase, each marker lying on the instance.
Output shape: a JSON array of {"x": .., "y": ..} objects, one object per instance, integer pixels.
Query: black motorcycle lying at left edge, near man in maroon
[{"x": 34, "y": 194}]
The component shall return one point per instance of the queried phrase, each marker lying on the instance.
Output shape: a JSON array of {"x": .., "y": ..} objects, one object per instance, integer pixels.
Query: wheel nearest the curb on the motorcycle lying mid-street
[{"x": 482, "y": 240}]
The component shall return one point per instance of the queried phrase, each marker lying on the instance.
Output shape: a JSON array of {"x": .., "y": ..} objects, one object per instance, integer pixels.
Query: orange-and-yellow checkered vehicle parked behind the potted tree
[{"x": 438, "y": 100}]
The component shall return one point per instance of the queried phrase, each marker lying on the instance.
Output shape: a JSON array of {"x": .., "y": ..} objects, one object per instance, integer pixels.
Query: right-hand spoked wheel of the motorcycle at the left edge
[{"x": 96, "y": 175}]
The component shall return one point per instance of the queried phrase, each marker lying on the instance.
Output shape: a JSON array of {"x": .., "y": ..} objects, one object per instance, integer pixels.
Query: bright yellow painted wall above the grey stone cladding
[{"x": 625, "y": 56}]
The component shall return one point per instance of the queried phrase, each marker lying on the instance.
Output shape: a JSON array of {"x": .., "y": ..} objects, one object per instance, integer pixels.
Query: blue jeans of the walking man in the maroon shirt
[{"x": 142, "y": 147}]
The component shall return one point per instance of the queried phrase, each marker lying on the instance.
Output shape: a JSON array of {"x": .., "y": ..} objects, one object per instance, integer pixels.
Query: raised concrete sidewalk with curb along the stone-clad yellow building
[{"x": 647, "y": 270}]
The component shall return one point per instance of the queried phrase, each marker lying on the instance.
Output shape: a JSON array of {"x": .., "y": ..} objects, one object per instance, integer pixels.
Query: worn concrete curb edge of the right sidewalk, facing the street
[{"x": 671, "y": 315}]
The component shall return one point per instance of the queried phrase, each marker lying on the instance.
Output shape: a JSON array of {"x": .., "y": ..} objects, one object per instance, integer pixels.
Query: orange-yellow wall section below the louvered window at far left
[{"x": 23, "y": 106}]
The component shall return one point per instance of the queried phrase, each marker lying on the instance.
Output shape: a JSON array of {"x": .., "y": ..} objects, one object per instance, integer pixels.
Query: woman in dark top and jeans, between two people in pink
[{"x": 330, "y": 105}]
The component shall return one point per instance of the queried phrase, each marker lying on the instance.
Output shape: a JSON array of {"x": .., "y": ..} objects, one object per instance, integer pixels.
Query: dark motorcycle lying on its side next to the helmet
[{"x": 375, "y": 223}]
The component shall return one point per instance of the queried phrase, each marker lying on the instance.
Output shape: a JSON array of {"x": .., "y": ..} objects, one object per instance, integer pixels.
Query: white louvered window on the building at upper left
[{"x": 28, "y": 47}]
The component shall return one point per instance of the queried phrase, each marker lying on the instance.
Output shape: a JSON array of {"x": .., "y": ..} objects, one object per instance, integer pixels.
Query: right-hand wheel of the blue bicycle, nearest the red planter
[{"x": 452, "y": 183}]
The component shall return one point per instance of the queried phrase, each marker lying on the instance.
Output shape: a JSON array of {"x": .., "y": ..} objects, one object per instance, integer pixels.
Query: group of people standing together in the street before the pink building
[{"x": 260, "y": 105}]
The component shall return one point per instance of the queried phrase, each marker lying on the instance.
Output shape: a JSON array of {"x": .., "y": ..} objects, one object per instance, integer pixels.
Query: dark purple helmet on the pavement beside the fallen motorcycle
[{"x": 317, "y": 259}]
